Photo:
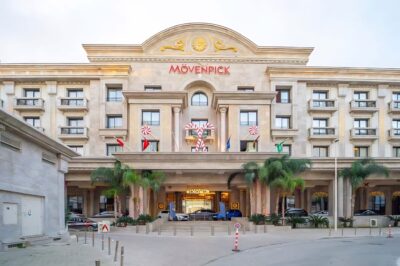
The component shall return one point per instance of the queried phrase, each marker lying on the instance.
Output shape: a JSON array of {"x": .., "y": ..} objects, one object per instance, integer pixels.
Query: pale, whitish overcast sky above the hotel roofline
[{"x": 344, "y": 33}]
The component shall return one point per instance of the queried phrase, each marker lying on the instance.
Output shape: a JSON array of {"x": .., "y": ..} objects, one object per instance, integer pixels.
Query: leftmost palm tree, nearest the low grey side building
[{"x": 113, "y": 177}]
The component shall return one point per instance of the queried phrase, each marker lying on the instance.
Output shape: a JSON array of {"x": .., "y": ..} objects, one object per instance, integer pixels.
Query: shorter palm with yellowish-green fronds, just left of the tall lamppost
[{"x": 286, "y": 185}]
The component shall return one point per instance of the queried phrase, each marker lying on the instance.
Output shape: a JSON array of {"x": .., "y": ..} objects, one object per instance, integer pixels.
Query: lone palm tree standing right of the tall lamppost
[{"x": 358, "y": 172}]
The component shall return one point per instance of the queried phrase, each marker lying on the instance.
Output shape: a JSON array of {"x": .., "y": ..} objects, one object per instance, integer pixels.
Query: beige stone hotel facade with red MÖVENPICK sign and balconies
[{"x": 208, "y": 73}]
